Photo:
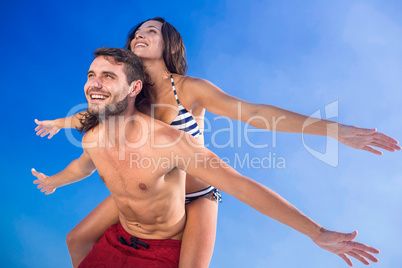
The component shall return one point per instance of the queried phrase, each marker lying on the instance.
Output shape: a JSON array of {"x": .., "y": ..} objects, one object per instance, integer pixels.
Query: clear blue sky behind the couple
[{"x": 297, "y": 55}]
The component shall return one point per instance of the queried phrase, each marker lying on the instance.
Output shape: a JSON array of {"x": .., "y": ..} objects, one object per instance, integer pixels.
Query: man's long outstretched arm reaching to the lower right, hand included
[{"x": 206, "y": 166}]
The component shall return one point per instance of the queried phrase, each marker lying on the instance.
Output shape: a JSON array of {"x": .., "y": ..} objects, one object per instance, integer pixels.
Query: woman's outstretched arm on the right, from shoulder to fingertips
[{"x": 274, "y": 118}]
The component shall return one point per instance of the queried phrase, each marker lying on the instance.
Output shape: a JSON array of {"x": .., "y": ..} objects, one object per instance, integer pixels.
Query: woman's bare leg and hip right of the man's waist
[{"x": 199, "y": 233}]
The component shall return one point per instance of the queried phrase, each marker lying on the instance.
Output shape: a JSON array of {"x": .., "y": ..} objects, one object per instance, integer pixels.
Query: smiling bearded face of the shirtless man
[{"x": 106, "y": 89}]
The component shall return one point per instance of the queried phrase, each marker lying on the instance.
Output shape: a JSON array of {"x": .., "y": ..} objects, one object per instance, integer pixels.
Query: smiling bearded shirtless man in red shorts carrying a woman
[{"x": 119, "y": 141}]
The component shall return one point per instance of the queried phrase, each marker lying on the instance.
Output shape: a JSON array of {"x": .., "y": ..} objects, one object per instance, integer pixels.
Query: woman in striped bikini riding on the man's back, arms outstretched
[{"x": 181, "y": 101}]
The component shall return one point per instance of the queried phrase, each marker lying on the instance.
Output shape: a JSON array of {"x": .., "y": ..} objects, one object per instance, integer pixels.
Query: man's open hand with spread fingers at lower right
[{"x": 342, "y": 244}]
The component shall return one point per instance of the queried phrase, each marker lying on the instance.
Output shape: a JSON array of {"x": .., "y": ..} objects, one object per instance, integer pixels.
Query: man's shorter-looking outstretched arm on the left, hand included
[{"x": 77, "y": 170}]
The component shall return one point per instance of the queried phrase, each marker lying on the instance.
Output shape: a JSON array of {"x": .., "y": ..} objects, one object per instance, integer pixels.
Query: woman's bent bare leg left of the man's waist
[{"x": 87, "y": 232}]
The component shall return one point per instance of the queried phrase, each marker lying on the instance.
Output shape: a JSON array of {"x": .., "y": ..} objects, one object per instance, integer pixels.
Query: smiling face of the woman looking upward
[{"x": 148, "y": 41}]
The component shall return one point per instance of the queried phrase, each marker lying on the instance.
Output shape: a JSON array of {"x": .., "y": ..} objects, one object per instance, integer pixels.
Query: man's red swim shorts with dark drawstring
[{"x": 117, "y": 248}]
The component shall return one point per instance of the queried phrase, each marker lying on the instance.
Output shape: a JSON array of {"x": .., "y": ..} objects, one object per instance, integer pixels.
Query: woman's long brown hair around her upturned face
[{"x": 174, "y": 52}]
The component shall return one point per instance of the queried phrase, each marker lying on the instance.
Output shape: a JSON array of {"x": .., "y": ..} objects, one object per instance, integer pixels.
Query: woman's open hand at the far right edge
[{"x": 364, "y": 139}]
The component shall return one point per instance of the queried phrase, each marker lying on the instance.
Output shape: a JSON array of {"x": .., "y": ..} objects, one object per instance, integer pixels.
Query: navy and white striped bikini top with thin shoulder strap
[{"x": 184, "y": 120}]
